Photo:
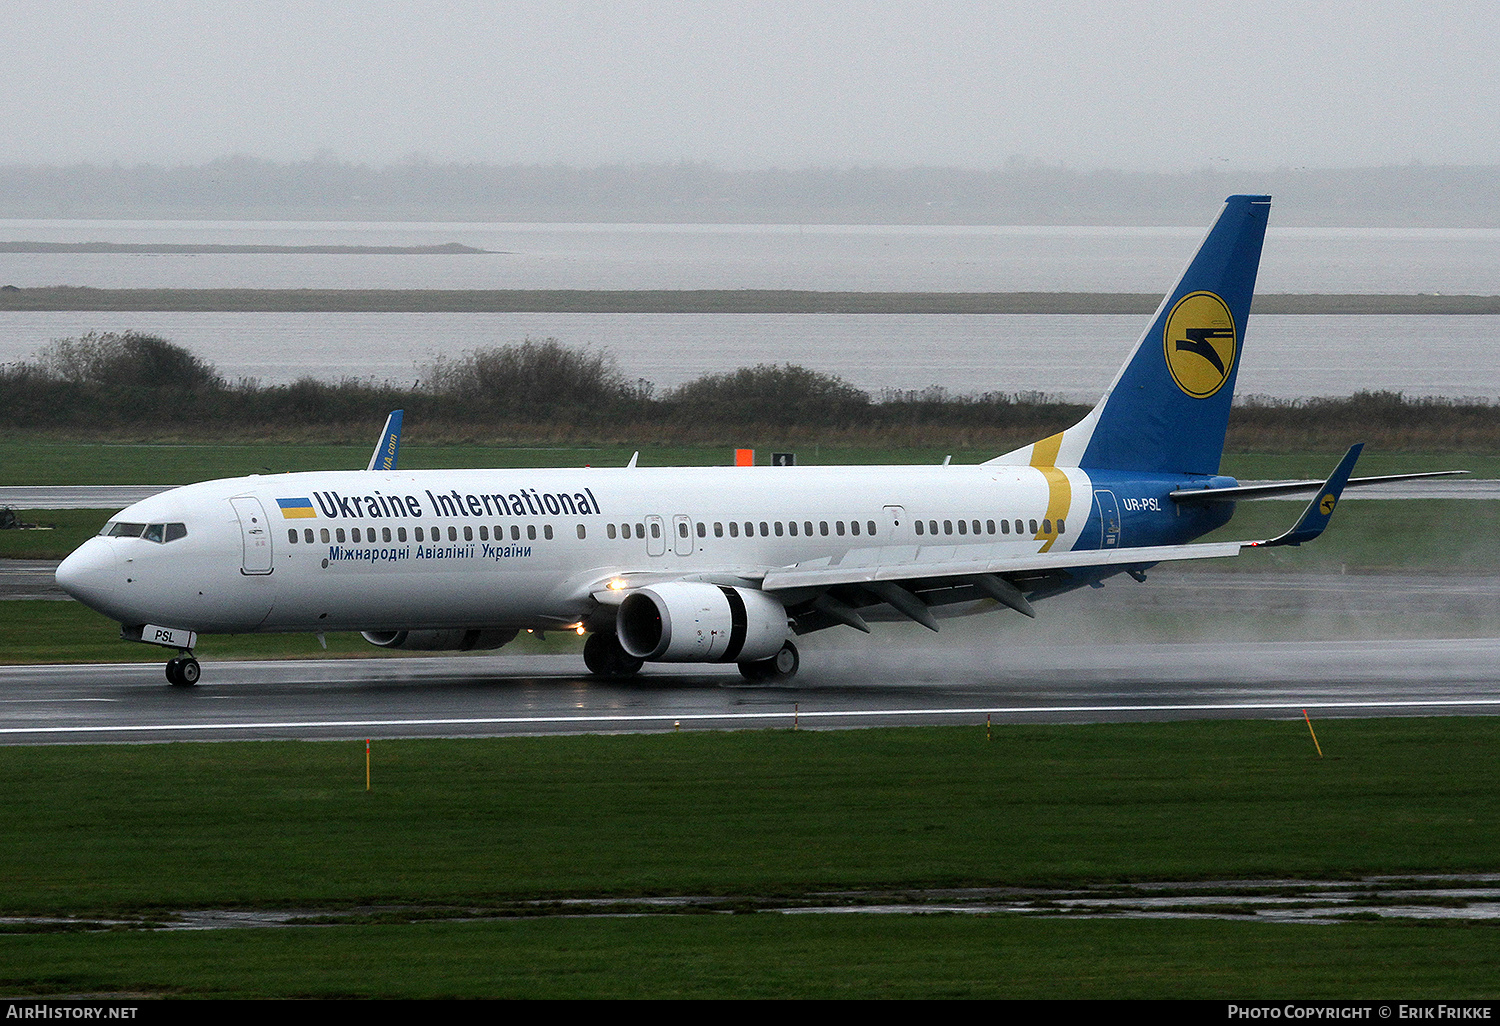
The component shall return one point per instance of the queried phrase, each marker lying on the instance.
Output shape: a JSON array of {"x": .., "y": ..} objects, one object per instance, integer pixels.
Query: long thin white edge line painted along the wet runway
[{"x": 788, "y": 715}]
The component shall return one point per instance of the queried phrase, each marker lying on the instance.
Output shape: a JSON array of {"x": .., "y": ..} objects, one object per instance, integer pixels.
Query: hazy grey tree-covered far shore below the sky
[{"x": 1018, "y": 194}]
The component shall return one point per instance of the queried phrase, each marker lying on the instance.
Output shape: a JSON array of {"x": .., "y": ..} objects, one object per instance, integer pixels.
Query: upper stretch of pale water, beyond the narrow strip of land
[{"x": 877, "y": 259}]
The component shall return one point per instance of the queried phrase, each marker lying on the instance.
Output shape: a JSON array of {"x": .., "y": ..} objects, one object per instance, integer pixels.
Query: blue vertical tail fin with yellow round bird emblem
[{"x": 1169, "y": 406}]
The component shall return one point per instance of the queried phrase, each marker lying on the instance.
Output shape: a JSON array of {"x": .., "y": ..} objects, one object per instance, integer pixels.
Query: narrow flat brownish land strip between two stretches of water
[{"x": 296, "y": 301}]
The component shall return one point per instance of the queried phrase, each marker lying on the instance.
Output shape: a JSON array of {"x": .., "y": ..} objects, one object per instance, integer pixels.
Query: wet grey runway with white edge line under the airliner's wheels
[{"x": 884, "y": 685}]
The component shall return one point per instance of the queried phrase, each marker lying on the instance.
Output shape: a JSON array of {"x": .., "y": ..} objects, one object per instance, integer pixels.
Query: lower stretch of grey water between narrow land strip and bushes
[{"x": 1072, "y": 356}]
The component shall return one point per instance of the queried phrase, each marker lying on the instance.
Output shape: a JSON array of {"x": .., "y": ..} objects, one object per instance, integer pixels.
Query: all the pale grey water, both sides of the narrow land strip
[{"x": 1072, "y": 356}]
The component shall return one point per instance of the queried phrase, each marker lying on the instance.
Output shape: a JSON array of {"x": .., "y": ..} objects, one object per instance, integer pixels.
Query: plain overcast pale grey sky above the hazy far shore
[{"x": 1159, "y": 86}]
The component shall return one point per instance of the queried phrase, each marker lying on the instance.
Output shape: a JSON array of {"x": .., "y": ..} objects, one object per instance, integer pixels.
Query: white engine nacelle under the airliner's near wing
[{"x": 686, "y": 622}]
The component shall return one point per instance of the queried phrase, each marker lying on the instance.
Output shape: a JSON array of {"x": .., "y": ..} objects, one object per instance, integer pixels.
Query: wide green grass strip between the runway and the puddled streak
[{"x": 464, "y": 821}]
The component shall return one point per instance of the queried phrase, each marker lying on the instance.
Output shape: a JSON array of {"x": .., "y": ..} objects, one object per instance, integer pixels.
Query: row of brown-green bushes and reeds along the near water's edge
[{"x": 544, "y": 392}]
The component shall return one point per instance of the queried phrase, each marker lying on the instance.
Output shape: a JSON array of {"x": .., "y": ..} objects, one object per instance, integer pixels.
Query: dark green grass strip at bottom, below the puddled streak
[{"x": 775, "y": 956}]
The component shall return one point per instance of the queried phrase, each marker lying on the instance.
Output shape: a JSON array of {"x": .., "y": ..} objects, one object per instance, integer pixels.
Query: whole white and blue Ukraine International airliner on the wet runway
[{"x": 715, "y": 565}]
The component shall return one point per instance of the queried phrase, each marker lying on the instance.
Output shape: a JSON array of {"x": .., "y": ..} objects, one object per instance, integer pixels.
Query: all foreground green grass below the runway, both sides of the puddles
[{"x": 475, "y": 826}]
